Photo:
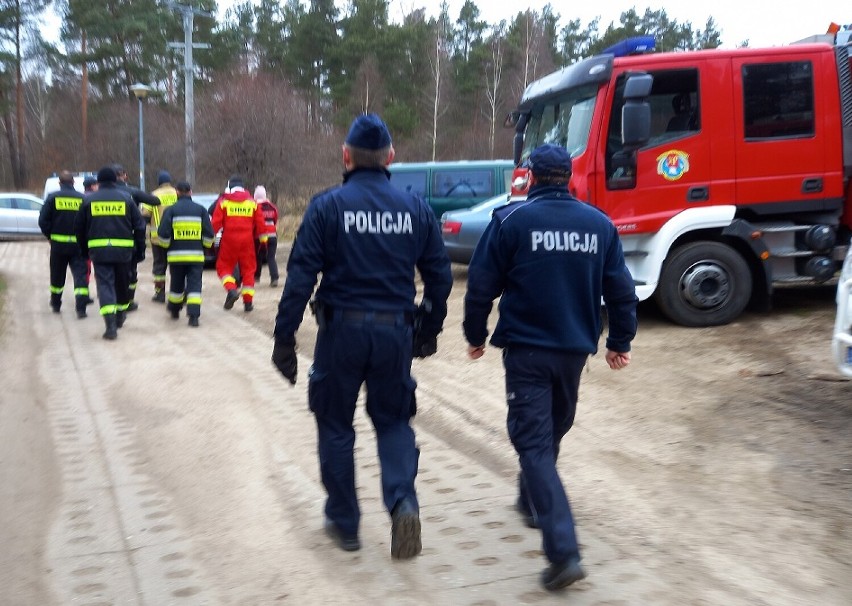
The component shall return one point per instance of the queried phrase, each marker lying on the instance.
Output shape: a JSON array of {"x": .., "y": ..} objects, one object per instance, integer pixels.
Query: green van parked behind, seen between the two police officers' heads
[{"x": 453, "y": 185}]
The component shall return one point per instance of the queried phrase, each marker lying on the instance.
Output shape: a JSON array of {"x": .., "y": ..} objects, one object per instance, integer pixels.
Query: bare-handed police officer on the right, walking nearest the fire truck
[{"x": 551, "y": 259}]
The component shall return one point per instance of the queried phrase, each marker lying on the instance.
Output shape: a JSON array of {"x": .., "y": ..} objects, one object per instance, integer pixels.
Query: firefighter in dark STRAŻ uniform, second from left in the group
[{"x": 110, "y": 231}]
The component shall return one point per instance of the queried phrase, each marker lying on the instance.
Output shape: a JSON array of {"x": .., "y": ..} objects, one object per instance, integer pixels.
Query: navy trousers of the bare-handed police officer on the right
[{"x": 541, "y": 391}]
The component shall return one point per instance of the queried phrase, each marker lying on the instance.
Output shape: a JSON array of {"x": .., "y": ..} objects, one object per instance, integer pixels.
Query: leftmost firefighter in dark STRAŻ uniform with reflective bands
[{"x": 56, "y": 221}]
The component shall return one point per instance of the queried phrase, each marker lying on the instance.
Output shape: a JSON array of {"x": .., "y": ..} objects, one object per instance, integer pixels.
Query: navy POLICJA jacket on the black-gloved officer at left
[{"x": 366, "y": 237}]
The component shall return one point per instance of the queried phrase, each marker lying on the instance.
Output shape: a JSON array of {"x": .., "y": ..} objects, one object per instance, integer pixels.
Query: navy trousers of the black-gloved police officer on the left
[{"x": 355, "y": 348}]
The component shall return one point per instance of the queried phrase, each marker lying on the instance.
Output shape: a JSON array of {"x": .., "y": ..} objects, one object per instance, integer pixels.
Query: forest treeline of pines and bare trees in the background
[{"x": 276, "y": 82}]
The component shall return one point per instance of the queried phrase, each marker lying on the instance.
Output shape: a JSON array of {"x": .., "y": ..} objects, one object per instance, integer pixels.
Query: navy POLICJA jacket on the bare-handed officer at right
[{"x": 553, "y": 259}]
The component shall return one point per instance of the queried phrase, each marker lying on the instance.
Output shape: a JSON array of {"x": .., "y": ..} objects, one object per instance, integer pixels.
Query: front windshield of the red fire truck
[{"x": 565, "y": 120}]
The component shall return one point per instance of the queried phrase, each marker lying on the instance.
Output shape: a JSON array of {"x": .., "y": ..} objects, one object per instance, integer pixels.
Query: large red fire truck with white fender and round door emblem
[{"x": 727, "y": 172}]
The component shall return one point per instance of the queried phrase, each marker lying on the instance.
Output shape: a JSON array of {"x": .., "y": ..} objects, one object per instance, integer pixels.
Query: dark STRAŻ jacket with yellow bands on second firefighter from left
[{"x": 109, "y": 226}]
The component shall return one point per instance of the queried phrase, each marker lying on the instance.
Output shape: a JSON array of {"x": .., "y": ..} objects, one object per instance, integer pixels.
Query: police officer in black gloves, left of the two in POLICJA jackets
[{"x": 366, "y": 238}]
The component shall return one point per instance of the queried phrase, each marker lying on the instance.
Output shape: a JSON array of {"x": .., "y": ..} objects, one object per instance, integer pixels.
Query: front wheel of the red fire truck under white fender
[{"x": 704, "y": 284}]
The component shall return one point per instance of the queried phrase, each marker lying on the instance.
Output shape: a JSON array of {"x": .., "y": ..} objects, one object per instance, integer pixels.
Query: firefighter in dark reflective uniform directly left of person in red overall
[{"x": 185, "y": 231}]
